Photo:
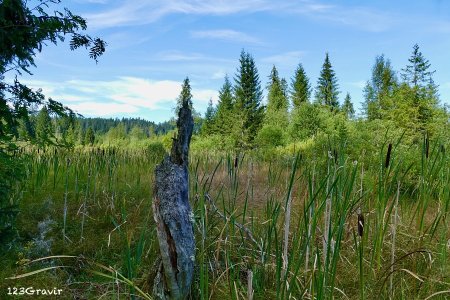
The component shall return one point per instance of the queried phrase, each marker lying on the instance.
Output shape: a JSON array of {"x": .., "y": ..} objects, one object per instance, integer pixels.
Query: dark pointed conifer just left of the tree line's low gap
[{"x": 327, "y": 87}]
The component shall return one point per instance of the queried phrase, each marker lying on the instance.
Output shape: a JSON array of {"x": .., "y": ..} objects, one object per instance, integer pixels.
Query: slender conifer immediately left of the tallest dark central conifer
[{"x": 224, "y": 116}]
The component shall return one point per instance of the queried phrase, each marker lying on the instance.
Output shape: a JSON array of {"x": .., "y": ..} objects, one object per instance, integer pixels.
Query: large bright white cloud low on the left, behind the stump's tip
[{"x": 121, "y": 96}]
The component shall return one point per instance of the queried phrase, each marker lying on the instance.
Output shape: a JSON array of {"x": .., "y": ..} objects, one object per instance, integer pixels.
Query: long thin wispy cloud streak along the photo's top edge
[{"x": 140, "y": 12}]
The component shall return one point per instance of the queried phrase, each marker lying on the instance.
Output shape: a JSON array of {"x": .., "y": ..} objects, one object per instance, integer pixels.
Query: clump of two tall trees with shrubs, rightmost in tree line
[{"x": 411, "y": 104}]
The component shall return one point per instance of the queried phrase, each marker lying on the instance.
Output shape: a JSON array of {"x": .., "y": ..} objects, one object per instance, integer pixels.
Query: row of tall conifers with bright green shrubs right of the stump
[{"x": 296, "y": 111}]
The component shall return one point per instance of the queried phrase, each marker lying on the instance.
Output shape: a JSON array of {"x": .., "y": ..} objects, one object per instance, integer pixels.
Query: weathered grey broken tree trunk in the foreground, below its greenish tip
[{"x": 173, "y": 215}]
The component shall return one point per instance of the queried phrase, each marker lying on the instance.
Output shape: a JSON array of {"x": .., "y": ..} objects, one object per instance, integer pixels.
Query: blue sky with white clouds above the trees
[{"x": 154, "y": 44}]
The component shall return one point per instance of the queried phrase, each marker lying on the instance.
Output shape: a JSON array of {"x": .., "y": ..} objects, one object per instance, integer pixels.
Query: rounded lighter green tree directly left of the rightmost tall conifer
[{"x": 378, "y": 92}]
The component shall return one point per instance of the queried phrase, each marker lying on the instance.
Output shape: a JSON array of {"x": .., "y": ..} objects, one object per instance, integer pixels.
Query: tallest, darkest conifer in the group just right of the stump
[{"x": 249, "y": 112}]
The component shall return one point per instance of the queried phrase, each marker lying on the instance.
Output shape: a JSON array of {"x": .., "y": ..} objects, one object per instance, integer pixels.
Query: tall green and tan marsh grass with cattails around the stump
[{"x": 282, "y": 229}]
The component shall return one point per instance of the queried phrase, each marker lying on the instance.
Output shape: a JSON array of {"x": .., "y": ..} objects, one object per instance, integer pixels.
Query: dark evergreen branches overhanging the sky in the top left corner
[{"x": 23, "y": 32}]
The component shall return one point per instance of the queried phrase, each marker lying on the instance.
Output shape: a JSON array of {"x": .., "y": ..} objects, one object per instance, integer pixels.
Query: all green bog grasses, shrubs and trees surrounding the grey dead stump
[{"x": 294, "y": 196}]
